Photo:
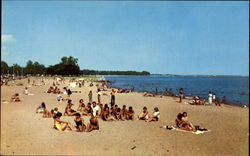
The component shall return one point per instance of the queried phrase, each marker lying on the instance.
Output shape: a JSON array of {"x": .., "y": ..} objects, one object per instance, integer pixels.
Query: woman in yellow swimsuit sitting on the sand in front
[{"x": 61, "y": 125}]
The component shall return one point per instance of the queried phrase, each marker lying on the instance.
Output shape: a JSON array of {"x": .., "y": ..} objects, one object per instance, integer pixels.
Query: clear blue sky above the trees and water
[{"x": 160, "y": 37}]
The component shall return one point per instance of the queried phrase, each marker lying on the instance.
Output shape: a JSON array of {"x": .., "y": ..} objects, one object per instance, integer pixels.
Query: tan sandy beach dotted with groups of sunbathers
[{"x": 23, "y": 132}]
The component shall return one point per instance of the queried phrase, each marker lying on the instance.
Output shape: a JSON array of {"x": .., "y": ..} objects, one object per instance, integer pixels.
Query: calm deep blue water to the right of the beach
[{"x": 236, "y": 89}]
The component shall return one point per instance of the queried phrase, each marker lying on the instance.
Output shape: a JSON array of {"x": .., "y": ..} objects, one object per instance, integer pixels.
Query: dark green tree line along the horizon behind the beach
[{"x": 67, "y": 67}]
